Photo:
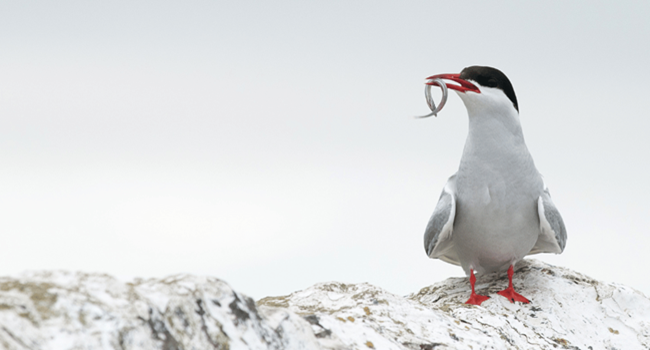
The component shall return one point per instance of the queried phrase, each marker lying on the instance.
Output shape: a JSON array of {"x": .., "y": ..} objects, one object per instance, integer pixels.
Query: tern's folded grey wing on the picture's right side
[{"x": 552, "y": 237}]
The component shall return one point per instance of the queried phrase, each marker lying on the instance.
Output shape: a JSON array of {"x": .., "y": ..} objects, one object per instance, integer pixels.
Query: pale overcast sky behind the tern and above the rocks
[{"x": 273, "y": 144}]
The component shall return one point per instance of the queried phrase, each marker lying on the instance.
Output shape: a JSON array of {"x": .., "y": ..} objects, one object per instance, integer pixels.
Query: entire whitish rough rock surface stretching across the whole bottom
[{"x": 60, "y": 310}]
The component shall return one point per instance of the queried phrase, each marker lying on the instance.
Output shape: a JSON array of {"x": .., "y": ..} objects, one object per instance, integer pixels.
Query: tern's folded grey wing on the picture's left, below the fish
[{"x": 437, "y": 237}]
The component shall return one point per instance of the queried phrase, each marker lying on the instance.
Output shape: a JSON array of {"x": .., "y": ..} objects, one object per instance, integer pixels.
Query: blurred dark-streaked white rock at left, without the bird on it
[{"x": 60, "y": 310}]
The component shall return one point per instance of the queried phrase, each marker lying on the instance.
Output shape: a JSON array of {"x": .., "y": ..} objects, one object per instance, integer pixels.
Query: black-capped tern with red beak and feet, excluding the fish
[{"x": 496, "y": 208}]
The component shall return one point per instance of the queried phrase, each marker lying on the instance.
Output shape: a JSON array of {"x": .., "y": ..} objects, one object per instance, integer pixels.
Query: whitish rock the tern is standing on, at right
[{"x": 567, "y": 311}]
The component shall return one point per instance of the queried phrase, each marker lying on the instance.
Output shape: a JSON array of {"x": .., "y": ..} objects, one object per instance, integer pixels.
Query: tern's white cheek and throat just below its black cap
[{"x": 491, "y": 101}]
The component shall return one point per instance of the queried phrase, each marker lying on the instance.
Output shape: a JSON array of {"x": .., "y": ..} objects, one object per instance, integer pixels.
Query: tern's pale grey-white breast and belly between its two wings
[{"x": 498, "y": 187}]
